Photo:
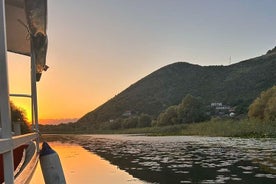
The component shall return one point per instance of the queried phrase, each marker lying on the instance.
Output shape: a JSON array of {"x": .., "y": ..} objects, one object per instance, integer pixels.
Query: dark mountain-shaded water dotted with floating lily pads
[{"x": 187, "y": 159}]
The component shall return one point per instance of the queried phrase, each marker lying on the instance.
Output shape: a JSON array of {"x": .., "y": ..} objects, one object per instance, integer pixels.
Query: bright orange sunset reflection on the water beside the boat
[{"x": 81, "y": 166}]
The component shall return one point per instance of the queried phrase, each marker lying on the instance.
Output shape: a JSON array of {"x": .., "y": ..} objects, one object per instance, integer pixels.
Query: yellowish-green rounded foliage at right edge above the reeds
[{"x": 264, "y": 106}]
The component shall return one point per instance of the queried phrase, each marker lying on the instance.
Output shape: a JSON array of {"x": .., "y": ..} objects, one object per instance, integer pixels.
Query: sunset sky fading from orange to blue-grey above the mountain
[{"x": 98, "y": 48}]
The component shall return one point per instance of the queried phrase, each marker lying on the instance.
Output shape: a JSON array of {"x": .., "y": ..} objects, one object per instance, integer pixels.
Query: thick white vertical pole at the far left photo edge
[{"x": 4, "y": 97}]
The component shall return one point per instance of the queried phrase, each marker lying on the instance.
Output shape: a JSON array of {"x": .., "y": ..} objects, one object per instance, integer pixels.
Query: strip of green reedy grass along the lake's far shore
[{"x": 222, "y": 128}]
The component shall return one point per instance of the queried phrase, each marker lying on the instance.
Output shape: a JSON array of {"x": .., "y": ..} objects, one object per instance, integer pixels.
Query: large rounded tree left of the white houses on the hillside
[{"x": 191, "y": 110}]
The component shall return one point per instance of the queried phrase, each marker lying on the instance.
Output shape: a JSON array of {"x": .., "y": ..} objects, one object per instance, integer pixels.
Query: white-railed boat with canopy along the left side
[{"x": 23, "y": 26}]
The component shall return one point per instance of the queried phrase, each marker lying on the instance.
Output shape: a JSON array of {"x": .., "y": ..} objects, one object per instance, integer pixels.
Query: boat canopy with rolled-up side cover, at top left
[{"x": 26, "y": 23}]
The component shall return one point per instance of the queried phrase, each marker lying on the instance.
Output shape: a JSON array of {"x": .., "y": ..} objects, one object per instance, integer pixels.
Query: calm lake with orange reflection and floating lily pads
[{"x": 165, "y": 159}]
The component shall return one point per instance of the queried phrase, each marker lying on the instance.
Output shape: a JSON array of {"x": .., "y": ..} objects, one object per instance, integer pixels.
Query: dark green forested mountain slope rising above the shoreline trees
[{"x": 236, "y": 85}]
